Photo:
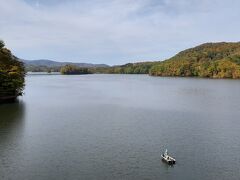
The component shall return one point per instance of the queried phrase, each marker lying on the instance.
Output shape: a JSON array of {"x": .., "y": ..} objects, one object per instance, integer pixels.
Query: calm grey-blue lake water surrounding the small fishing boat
[{"x": 111, "y": 127}]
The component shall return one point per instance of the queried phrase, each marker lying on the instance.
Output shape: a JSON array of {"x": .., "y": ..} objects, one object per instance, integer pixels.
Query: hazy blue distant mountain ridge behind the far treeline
[{"x": 50, "y": 63}]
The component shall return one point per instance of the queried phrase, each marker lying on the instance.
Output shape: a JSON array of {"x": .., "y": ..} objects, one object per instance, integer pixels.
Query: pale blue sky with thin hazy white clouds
[{"x": 114, "y": 31}]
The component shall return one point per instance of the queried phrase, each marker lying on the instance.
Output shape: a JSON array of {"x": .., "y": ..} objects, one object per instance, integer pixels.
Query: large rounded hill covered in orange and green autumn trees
[{"x": 213, "y": 60}]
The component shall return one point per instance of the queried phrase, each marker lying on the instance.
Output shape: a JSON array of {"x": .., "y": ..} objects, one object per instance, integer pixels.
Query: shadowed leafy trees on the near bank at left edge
[{"x": 12, "y": 75}]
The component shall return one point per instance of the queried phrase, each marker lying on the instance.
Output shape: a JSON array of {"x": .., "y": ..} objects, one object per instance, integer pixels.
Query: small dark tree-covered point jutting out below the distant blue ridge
[{"x": 74, "y": 70}]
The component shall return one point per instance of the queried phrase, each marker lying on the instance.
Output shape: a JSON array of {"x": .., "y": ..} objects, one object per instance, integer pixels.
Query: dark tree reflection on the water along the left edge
[{"x": 11, "y": 129}]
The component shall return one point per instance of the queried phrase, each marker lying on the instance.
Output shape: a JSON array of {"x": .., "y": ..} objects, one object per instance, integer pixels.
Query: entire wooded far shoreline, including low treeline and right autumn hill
[{"x": 211, "y": 60}]
